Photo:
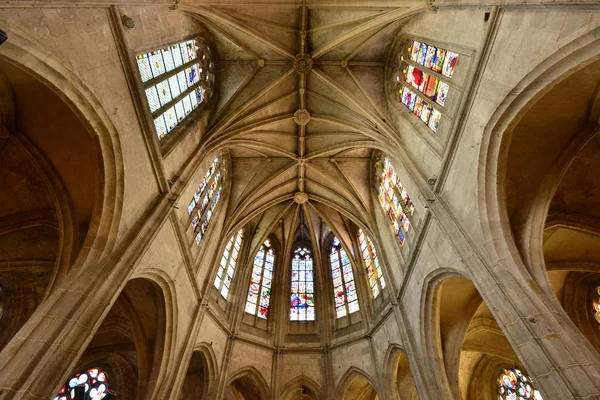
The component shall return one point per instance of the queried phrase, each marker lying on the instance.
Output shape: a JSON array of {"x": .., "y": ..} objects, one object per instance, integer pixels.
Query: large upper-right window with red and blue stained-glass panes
[{"x": 422, "y": 80}]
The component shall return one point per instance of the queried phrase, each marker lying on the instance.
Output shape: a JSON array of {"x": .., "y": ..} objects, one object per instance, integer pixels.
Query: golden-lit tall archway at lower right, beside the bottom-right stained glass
[{"x": 464, "y": 335}]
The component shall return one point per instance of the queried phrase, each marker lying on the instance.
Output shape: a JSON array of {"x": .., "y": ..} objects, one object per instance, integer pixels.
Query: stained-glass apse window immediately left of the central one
[{"x": 259, "y": 293}]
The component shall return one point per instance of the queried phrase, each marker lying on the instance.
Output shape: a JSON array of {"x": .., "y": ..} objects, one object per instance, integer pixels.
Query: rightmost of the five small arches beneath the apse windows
[{"x": 398, "y": 382}]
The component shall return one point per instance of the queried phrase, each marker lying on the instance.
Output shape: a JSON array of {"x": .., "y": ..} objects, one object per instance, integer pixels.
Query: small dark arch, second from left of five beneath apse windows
[{"x": 247, "y": 384}]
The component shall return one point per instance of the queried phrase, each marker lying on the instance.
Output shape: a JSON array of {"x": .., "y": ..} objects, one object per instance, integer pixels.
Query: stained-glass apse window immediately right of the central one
[{"x": 344, "y": 290}]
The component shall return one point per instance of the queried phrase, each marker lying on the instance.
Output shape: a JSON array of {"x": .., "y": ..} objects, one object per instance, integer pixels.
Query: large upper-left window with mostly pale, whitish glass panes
[{"x": 177, "y": 79}]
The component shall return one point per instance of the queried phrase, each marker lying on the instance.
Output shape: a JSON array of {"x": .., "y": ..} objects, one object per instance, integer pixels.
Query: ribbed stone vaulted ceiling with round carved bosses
[{"x": 302, "y": 105}]
